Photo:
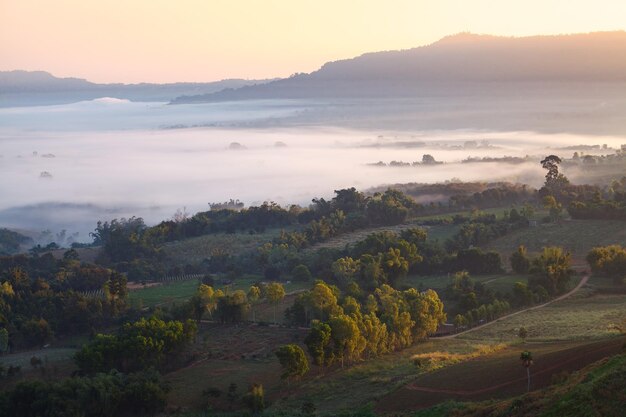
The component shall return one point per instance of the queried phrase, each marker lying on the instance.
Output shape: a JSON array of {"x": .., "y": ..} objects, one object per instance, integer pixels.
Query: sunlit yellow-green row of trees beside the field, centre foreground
[{"x": 348, "y": 328}]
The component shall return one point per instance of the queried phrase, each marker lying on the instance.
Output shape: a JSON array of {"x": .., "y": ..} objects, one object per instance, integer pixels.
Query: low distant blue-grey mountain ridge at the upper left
[{"x": 20, "y": 88}]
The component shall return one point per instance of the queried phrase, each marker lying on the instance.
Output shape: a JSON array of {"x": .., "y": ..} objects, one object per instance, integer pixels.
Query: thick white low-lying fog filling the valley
[{"x": 69, "y": 166}]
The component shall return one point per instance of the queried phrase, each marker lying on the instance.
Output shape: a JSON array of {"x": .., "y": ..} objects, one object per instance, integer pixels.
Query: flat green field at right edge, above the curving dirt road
[{"x": 577, "y": 236}]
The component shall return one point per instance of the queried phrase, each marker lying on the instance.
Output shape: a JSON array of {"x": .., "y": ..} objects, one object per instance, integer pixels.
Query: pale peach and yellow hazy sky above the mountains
[{"x": 204, "y": 40}]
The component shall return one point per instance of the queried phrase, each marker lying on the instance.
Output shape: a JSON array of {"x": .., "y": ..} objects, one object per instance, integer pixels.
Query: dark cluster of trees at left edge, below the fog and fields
[{"x": 40, "y": 298}]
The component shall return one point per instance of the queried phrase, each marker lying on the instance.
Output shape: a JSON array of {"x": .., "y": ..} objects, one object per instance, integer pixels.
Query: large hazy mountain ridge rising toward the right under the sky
[{"x": 456, "y": 65}]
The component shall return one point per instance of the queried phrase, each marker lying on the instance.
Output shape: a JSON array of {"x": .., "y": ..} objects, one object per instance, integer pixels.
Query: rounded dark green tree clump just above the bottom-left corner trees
[{"x": 143, "y": 344}]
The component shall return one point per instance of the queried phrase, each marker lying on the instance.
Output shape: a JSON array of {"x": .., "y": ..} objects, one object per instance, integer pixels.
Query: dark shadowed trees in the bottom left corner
[{"x": 105, "y": 394}]
